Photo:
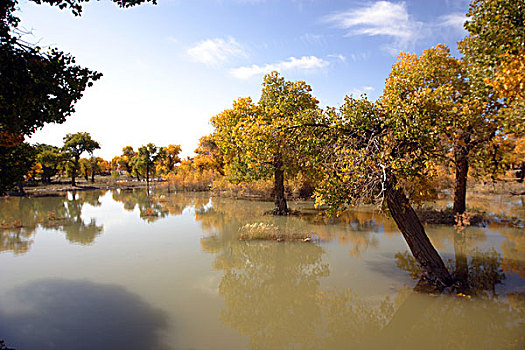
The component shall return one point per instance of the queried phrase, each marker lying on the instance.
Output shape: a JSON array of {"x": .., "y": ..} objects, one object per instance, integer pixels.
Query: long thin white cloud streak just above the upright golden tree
[{"x": 303, "y": 63}]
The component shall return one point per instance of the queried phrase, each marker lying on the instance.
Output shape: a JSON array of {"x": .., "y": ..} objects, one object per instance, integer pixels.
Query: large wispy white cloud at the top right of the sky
[{"x": 382, "y": 18}]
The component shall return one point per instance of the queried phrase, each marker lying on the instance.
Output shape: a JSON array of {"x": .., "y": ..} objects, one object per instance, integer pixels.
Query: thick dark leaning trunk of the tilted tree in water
[{"x": 407, "y": 221}]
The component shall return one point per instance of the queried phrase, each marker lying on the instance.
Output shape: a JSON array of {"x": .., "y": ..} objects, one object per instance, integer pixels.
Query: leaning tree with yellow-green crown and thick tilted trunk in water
[{"x": 368, "y": 155}]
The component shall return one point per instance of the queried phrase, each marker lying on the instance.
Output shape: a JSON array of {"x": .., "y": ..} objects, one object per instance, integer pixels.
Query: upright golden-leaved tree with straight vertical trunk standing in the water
[{"x": 256, "y": 139}]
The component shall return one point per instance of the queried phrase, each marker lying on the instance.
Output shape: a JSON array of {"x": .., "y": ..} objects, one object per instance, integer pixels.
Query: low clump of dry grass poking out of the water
[{"x": 270, "y": 232}]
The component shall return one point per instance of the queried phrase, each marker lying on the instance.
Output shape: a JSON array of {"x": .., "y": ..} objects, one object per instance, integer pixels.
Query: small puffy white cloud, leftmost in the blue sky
[{"x": 214, "y": 52}]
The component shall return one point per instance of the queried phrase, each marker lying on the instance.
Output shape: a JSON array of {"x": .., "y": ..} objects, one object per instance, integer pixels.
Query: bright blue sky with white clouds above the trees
[{"x": 168, "y": 68}]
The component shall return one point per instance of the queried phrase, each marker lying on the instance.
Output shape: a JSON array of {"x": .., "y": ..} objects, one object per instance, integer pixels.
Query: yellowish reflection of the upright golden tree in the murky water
[{"x": 268, "y": 288}]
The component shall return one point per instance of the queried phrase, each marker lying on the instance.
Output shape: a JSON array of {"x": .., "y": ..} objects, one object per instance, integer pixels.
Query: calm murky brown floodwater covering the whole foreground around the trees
[{"x": 123, "y": 270}]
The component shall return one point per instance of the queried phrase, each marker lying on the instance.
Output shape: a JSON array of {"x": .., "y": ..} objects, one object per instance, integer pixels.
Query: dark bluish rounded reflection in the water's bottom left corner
[{"x": 64, "y": 314}]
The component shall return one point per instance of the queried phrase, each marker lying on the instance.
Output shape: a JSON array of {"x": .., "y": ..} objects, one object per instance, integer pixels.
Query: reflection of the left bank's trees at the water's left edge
[{"x": 20, "y": 218}]
